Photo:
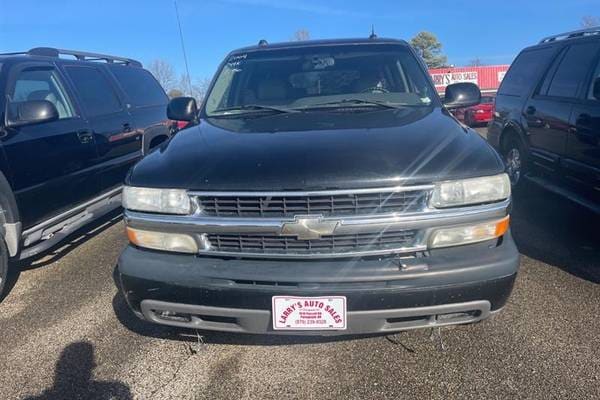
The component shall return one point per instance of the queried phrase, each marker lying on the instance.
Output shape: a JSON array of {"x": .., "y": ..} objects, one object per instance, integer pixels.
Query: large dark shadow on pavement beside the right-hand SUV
[{"x": 556, "y": 231}]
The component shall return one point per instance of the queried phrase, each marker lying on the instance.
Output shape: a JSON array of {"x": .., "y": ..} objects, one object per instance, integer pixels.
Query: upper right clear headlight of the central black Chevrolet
[{"x": 471, "y": 191}]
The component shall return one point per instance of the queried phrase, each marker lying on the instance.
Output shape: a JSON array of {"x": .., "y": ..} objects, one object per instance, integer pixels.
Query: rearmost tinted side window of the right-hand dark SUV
[{"x": 525, "y": 71}]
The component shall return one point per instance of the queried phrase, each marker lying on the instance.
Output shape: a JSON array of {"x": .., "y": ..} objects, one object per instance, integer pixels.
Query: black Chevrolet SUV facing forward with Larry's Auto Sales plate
[{"x": 322, "y": 188}]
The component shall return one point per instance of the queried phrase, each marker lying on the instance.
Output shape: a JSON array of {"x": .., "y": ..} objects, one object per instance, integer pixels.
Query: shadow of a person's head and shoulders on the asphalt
[{"x": 73, "y": 378}]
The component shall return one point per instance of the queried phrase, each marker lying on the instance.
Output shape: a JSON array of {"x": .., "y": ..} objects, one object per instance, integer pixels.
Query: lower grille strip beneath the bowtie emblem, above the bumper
[{"x": 331, "y": 244}]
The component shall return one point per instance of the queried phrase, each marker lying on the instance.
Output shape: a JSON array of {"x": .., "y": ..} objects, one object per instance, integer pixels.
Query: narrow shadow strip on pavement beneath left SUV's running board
[{"x": 61, "y": 249}]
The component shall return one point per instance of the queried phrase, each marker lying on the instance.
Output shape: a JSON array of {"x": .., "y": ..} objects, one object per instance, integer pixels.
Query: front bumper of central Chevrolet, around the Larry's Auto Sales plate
[{"x": 446, "y": 287}]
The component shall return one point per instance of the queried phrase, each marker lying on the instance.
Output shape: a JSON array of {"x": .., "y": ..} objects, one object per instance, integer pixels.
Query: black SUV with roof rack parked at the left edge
[{"x": 70, "y": 129}]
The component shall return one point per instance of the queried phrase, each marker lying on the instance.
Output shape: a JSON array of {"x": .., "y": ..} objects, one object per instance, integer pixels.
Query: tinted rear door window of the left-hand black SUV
[{"x": 95, "y": 91}]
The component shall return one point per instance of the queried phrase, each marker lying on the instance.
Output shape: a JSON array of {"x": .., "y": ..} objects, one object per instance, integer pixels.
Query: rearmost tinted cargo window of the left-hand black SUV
[{"x": 140, "y": 86}]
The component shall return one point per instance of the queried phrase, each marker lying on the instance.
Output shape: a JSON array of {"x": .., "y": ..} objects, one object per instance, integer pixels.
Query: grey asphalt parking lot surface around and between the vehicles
[{"x": 65, "y": 332}]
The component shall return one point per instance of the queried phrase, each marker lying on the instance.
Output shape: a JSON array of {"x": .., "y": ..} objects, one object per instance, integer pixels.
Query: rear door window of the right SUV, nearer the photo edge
[{"x": 572, "y": 70}]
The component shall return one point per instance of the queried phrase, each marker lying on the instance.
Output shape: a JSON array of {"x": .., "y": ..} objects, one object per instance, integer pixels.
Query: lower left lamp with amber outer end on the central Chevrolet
[{"x": 176, "y": 242}]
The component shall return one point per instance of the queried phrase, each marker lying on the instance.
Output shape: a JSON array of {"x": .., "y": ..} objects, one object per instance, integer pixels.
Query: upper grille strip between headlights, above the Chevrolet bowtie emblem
[{"x": 326, "y": 205}]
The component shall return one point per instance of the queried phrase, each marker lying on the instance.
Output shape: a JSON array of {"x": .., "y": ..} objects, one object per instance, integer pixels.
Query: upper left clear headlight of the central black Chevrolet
[{"x": 167, "y": 201}]
